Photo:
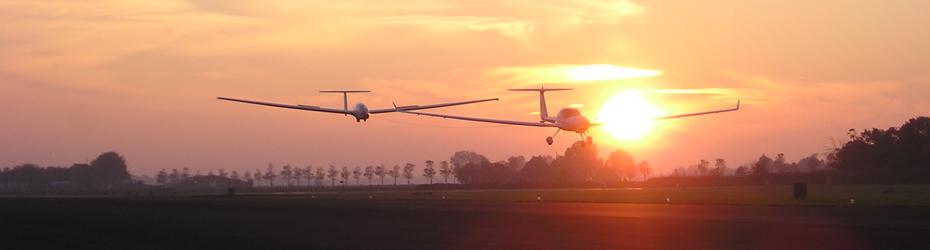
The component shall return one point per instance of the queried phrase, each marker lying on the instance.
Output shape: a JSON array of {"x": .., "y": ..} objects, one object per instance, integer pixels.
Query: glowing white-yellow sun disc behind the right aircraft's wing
[{"x": 628, "y": 115}]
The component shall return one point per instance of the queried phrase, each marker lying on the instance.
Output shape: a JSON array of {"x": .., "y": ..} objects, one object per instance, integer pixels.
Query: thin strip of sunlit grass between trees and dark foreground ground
[{"x": 818, "y": 195}]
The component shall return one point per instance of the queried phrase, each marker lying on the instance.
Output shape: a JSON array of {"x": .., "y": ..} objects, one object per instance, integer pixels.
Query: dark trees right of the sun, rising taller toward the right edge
[{"x": 894, "y": 155}]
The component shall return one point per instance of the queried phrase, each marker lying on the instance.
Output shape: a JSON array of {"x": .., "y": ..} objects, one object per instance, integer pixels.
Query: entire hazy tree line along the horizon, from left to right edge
[{"x": 892, "y": 155}]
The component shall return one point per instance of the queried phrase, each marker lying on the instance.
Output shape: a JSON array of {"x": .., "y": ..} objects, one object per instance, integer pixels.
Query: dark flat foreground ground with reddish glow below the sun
[{"x": 303, "y": 223}]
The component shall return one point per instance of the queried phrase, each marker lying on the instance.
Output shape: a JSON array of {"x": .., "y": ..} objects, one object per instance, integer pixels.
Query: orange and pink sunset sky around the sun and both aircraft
[{"x": 78, "y": 78}]
